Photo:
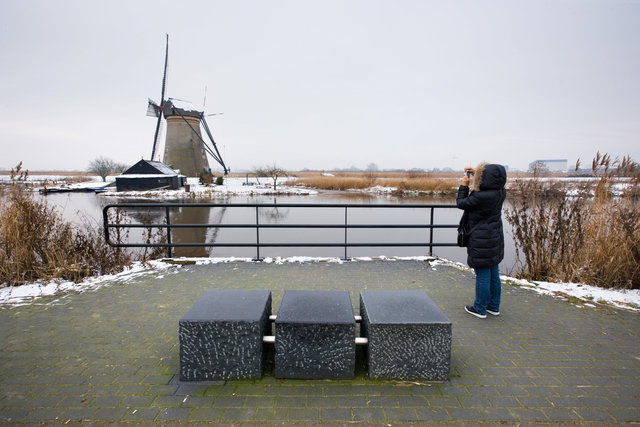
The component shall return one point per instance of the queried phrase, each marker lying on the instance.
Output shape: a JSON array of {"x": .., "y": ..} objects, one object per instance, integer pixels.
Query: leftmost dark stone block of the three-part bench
[{"x": 221, "y": 336}]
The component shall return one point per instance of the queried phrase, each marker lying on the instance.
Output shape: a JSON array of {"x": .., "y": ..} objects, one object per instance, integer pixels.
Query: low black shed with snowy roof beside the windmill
[{"x": 149, "y": 175}]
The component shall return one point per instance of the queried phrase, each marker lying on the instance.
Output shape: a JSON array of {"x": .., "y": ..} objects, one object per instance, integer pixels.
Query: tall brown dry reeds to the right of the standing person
[{"x": 590, "y": 234}]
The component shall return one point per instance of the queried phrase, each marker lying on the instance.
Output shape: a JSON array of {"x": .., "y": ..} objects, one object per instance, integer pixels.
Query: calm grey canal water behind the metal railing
[{"x": 87, "y": 208}]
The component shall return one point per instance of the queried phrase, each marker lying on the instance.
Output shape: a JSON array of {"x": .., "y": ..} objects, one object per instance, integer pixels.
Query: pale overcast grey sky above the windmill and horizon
[{"x": 324, "y": 84}]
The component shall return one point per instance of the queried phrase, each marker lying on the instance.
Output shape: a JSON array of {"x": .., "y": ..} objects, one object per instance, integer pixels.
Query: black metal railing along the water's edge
[{"x": 168, "y": 226}]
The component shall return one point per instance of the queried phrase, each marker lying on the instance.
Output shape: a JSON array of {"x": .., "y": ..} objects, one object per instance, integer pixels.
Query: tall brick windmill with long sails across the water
[{"x": 185, "y": 149}]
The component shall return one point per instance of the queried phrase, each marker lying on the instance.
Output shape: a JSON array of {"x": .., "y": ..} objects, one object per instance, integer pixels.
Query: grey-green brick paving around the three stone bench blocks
[{"x": 112, "y": 355}]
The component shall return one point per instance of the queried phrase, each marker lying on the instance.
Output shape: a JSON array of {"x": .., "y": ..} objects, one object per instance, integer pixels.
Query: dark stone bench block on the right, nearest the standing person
[{"x": 409, "y": 336}]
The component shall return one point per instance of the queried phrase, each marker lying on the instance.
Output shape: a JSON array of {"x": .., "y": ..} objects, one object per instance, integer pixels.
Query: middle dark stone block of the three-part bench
[{"x": 315, "y": 336}]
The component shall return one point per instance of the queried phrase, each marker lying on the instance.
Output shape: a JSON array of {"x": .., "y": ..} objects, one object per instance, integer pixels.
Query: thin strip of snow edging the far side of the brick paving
[{"x": 588, "y": 296}]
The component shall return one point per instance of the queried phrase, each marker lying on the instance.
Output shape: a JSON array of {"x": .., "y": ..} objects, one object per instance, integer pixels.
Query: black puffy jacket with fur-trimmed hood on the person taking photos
[{"x": 483, "y": 206}]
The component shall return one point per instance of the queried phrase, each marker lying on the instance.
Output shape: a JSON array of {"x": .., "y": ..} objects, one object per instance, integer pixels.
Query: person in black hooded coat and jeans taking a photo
[{"x": 485, "y": 247}]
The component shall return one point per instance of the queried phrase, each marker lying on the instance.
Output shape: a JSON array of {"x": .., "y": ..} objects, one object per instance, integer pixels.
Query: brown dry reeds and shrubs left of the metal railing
[{"x": 37, "y": 244}]
